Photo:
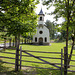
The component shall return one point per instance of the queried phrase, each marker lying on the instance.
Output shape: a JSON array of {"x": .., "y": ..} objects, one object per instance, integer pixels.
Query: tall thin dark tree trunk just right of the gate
[{"x": 67, "y": 32}]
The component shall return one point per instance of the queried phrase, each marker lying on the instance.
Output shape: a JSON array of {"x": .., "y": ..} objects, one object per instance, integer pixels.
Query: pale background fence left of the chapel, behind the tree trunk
[{"x": 11, "y": 42}]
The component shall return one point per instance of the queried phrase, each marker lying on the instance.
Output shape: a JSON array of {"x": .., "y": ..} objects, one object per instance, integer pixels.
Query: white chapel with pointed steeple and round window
[{"x": 42, "y": 34}]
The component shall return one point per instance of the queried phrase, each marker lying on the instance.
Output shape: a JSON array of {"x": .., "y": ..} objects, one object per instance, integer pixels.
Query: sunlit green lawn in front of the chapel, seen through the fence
[{"x": 55, "y": 47}]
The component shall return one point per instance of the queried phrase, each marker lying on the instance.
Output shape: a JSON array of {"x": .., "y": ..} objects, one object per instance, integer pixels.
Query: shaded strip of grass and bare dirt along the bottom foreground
[{"x": 4, "y": 70}]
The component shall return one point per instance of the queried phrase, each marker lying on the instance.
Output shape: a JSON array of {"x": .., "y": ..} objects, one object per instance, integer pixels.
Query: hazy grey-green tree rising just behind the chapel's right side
[{"x": 50, "y": 25}]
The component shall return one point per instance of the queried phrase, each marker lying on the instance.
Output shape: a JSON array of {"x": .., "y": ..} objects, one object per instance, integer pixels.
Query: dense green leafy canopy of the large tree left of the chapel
[{"x": 18, "y": 16}]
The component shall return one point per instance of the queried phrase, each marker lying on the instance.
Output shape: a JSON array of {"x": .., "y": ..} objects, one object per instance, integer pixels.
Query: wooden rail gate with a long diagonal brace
[{"x": 39, "y": 58}]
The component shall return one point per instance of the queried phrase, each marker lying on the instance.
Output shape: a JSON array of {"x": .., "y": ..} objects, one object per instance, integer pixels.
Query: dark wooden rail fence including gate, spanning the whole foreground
[{"x": 19, "y": 54}]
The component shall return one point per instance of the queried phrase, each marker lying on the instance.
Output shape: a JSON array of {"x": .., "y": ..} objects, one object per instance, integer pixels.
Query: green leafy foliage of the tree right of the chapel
[{"x": 66, "y": 10}]
